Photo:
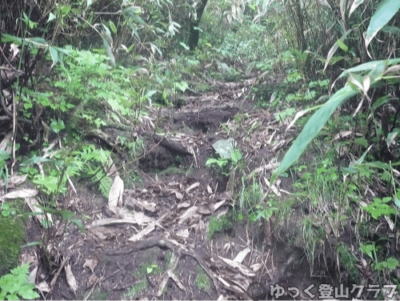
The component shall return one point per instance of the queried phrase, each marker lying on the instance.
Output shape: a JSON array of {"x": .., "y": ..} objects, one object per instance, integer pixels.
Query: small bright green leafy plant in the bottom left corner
[{"x": 15, "y": 285}]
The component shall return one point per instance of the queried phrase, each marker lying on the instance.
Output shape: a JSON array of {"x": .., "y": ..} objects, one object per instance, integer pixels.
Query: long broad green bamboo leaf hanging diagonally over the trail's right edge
[{"x": 312, "y": 128}]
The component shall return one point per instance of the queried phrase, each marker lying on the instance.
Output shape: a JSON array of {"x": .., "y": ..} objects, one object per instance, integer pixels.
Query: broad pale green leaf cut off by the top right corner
[{"x": 385, "y": 11}]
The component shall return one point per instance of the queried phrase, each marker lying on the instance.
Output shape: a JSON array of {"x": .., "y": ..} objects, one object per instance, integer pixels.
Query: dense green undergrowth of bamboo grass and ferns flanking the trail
[{"x": 327, "y": 70}]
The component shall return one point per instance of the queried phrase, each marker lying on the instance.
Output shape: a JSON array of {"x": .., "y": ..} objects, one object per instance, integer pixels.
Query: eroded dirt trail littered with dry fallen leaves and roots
[{"x": 157, "y": 244}]
